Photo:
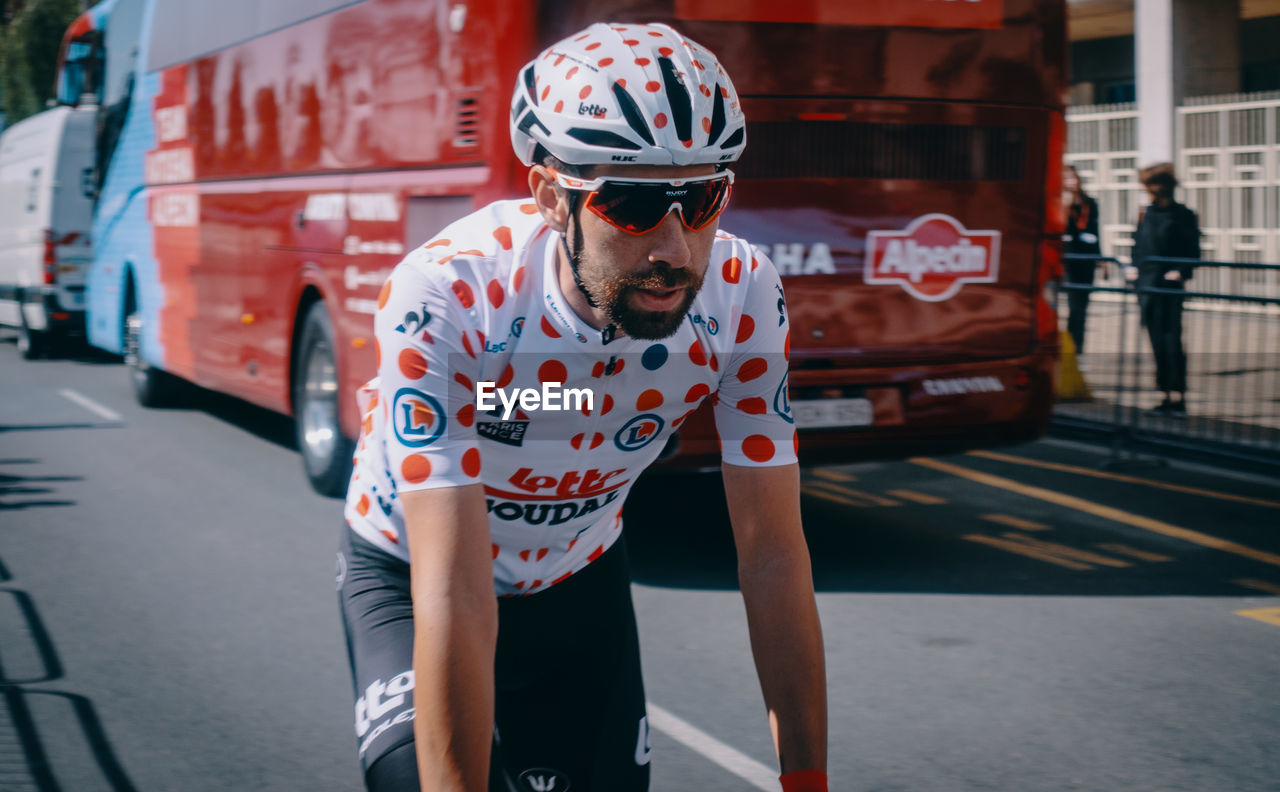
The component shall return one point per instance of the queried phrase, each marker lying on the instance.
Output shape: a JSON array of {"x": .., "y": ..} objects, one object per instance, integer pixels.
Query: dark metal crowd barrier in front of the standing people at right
[{"x": 1232, "y": 345}]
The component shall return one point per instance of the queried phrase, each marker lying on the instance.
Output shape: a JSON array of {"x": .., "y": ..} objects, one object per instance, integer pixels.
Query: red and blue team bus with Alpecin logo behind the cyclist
[{"x": 263, "y": 168}]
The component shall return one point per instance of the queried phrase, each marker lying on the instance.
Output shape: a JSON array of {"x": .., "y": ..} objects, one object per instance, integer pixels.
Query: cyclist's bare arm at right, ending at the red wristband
[{"x": 776, "y": 578}]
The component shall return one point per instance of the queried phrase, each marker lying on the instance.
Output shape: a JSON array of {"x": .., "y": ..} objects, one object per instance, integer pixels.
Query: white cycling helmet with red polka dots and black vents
[{"x": 632, "y": 94}]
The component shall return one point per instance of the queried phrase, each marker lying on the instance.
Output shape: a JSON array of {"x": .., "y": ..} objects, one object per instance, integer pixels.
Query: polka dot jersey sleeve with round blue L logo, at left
[{"x": 427, "y": 365}]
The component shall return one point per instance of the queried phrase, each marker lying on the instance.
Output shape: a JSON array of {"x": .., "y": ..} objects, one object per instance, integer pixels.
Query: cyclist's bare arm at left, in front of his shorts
[{"x": 455, "y": 637}]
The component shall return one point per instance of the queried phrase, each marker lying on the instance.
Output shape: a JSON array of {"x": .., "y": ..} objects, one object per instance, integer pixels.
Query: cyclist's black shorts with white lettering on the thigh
[{"x": 569, "y": 697}]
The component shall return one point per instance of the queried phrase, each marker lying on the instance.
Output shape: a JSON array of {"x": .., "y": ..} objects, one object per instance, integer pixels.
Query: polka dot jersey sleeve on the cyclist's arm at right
[{"x": 753, "y": 415}]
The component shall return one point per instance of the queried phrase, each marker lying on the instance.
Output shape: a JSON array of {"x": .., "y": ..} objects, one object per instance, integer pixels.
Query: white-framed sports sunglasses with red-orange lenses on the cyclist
[{"x": 638, "y": 207}]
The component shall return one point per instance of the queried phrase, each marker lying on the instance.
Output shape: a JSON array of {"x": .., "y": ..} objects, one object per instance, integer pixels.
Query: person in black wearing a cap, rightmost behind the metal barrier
[{"x": 1167, "y": 228}]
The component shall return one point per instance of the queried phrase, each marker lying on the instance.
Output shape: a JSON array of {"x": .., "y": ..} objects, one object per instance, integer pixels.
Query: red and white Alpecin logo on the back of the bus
[{"x": 932, "y": 258}]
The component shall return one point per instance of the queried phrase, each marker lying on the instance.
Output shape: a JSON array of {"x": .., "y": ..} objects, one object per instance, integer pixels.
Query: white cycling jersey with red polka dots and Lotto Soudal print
[{"x": 568, "y": 416}]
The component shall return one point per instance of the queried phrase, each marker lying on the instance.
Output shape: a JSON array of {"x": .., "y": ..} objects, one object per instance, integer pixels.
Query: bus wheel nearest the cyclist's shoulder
[{"x": 326, "y": 451}]
